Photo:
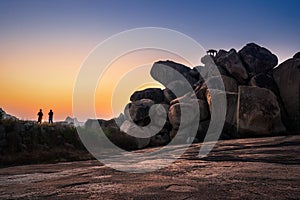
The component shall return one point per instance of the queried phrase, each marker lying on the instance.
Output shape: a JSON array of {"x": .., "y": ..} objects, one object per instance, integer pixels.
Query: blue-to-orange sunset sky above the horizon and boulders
[{"x": 44, "y": 43}]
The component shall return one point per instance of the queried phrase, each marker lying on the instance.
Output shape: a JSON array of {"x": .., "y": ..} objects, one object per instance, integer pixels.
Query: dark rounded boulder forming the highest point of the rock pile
[{"x": 257, "y": 59}]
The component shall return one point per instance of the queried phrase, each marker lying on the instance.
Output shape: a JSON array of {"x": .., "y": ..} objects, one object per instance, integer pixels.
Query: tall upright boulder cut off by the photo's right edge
[{"x": 287, "y": 78}]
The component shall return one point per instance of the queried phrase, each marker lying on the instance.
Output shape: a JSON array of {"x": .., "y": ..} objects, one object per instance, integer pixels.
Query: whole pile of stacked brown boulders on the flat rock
[{"x": 261, "y": 99}]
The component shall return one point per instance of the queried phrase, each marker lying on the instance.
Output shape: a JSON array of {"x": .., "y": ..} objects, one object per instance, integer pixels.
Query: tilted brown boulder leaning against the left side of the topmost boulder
[{"x": 232, "y": 63}]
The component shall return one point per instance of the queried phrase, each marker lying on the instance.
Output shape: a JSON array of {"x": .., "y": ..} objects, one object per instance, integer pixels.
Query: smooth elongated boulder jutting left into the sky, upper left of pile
[{"x": 167, "y": 71}]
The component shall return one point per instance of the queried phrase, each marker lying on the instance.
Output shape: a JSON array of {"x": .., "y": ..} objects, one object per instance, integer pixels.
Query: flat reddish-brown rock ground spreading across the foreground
[{"x": 258, "y": 168}]
